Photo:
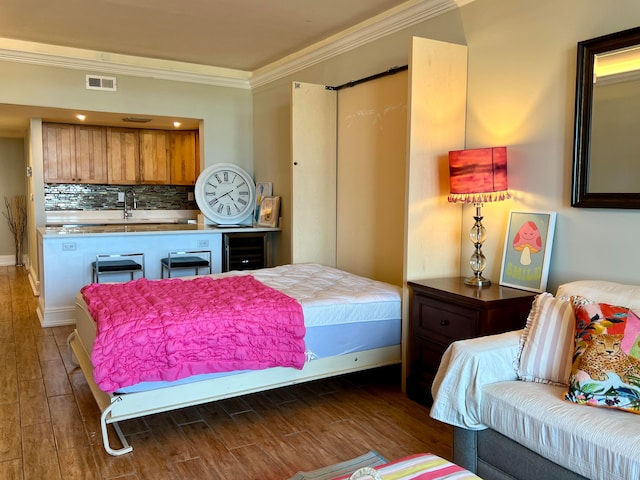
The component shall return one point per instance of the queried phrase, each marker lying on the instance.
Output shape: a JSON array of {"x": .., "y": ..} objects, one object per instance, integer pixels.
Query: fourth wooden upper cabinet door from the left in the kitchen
[{"x": 154, "y": 157}]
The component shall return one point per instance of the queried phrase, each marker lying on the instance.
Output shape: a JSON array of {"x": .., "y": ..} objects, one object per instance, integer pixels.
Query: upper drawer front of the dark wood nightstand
[{"x": 443, "y": 321}]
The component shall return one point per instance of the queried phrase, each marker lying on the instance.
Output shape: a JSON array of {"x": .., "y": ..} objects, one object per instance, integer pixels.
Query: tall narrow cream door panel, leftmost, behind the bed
[{"x": 313, "y": 149}]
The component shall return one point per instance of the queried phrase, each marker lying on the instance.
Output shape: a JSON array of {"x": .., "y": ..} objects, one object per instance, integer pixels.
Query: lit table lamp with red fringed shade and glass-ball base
[{"x": 478, "y": 176}]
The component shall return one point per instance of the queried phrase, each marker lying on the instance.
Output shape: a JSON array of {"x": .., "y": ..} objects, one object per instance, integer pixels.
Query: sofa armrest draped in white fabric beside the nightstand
[{"x": 466, "y": 367}]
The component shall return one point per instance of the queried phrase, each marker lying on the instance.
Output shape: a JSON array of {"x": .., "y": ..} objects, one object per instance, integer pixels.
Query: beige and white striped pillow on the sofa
[{"x": 546, "y": 345}]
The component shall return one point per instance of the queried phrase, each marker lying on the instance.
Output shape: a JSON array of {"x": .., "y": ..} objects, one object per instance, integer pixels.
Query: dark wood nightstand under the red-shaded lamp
[{"x": 443, "y": 310}]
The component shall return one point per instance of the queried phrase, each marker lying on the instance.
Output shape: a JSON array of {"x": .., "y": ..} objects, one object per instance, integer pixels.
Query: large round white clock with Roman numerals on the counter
[{"x": 225, "y": 193}]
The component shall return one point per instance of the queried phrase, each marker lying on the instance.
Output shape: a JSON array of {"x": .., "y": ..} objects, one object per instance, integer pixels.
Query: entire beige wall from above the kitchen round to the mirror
[{"x": 521, "y": 83}]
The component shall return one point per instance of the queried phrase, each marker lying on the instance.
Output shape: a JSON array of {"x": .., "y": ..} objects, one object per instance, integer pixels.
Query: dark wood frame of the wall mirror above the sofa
[{"x": 587, "y": 50}]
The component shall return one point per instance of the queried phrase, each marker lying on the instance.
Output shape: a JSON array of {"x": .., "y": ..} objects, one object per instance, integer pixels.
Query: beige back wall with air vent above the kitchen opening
[{"x": 226, "y": 112}]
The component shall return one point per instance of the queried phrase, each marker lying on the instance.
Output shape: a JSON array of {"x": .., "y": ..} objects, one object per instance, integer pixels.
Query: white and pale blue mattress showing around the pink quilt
[{"x": 343, "y": 312}]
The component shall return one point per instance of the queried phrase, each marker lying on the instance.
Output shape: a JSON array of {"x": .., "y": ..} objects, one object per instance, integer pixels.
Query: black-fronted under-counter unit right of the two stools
[{"x": 244, "y": 251}]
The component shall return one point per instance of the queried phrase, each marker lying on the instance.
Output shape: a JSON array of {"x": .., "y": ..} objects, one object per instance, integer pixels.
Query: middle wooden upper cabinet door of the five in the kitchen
[{"x": 123, "y": 156}]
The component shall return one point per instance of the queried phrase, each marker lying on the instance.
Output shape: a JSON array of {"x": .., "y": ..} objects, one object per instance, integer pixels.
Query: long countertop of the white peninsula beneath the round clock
[{"x": 146, "y": 229}]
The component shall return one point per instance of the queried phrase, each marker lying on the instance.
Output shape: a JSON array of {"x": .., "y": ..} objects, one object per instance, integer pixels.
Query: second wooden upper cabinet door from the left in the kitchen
[{"x": 91, "y": 154}]
